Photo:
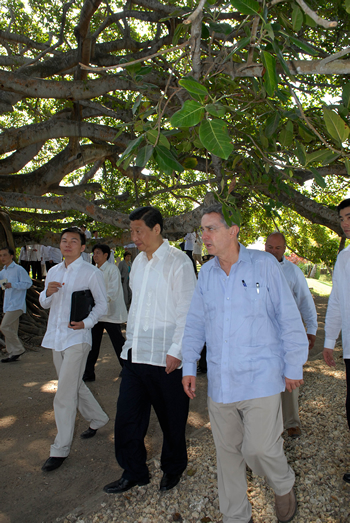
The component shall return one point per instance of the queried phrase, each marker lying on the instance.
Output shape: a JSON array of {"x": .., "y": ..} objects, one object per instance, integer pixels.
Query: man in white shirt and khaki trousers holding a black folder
[{"x": 78, "y": 283}]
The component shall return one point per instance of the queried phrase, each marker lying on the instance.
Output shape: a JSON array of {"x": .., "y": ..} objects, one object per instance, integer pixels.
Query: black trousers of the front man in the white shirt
[{"x": 144, "y": 386}]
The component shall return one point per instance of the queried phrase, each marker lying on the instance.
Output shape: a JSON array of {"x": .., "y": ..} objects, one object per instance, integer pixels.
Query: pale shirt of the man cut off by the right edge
[{"x": 338, "y": 310}]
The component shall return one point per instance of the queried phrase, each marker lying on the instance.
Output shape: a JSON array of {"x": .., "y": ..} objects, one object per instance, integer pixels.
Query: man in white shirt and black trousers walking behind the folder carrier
[{"x": 116, "y": 315}]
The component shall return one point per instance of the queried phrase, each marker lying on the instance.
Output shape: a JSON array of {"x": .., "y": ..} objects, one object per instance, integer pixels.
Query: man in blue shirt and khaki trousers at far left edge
[{"x": 14, "y": 305}]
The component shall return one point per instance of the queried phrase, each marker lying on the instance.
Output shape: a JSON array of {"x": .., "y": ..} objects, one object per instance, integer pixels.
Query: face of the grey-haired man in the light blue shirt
[{"x": 216, "y": 236}]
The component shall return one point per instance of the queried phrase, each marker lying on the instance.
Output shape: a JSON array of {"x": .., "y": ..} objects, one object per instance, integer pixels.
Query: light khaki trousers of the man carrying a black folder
[{"x": 72, "y": 393}]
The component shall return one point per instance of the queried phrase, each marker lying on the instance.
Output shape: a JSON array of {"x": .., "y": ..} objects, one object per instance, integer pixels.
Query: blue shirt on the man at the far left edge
[{"x": 15, "y": 297}]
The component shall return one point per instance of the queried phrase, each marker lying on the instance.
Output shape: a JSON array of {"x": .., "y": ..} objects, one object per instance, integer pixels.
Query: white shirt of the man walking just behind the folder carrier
[{"x": 117, "y": 312}]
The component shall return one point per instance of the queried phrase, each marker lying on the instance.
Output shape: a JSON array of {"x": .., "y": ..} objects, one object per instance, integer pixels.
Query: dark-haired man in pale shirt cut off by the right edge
[{"x": 338, "y": 310}]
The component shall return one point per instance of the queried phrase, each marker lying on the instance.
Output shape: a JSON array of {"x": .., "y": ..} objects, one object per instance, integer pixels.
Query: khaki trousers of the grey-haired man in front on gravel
[{"x": 248, "y": 432}]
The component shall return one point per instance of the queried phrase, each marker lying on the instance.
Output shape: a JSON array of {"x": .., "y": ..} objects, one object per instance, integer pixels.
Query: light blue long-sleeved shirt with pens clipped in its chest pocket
[{"x": 252, "y": 327}]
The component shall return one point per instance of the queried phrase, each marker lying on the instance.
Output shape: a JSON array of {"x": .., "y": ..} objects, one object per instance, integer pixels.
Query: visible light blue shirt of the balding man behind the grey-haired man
[{"x": 302, "y": 295}]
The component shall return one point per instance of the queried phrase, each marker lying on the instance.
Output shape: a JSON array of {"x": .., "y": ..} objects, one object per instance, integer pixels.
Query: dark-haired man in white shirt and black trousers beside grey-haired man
[{"x": 162, "y": 282}]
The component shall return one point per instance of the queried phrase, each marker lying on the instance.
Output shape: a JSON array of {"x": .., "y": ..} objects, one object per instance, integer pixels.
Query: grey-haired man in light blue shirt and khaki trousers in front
[{"x": 256, "y": 347}]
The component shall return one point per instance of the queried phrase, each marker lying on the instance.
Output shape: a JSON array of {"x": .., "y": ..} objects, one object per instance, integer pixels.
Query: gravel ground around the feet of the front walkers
[{"x": 319, "y": 458}]
